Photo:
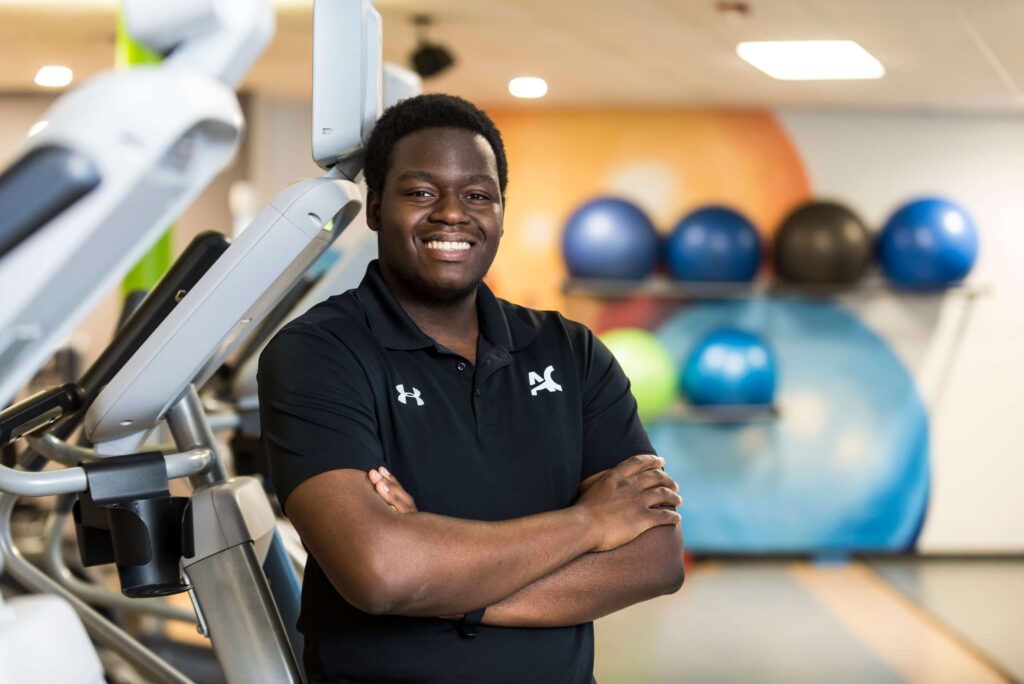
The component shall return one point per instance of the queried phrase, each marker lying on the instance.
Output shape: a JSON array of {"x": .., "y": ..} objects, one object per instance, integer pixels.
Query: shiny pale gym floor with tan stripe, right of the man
[{"x": 903, "y": 620}]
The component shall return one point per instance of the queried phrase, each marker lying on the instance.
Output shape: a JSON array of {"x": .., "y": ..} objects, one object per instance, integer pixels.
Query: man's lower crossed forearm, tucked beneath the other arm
[{"x": 598, "y": 584}]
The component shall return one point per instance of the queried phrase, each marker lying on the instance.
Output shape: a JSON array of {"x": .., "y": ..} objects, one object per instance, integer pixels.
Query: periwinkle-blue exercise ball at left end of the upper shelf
[{"x": 611, "y": 239}]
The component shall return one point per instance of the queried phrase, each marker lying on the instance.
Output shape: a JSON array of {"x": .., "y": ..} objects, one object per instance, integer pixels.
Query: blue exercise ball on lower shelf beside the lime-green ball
[{"x": 730, "y": 367}]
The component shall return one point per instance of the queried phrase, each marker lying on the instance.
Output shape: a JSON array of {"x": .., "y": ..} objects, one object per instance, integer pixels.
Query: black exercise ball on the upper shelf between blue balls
[{"x": 823, "y": 243}]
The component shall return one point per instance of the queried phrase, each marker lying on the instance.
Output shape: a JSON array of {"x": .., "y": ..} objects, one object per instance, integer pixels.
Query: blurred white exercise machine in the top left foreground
[{"x": 112, "y": 163}]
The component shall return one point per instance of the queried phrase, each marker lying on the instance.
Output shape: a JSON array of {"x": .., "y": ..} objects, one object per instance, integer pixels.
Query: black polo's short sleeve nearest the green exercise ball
[{"x": 612, "y": 429}]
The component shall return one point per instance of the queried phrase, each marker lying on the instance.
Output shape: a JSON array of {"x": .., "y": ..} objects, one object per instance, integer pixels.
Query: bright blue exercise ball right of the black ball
[{"x": 928, "y": 243}]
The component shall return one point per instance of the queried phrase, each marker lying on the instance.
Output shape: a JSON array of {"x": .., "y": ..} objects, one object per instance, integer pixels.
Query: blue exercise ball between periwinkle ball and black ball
[{"x": 714, "y": 244}]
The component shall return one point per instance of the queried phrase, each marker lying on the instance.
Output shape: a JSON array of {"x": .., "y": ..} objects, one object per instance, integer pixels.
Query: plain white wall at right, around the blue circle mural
[{"x": 877, "y": 162}]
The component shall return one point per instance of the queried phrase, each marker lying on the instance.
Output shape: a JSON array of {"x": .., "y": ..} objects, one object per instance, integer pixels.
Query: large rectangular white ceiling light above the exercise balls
[{"x": 812, "y": 60}]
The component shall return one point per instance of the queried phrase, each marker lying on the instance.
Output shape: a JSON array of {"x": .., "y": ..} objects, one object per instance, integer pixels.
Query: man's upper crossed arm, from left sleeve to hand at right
[{"x": 386, "y": 562}]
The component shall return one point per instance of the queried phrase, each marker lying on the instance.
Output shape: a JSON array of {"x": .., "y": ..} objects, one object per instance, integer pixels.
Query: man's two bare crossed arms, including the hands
[{"x": 619, "y": 544}]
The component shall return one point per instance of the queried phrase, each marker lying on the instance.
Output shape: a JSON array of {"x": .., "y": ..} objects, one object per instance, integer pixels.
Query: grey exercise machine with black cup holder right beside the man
[{"x": 223, "y": 536}]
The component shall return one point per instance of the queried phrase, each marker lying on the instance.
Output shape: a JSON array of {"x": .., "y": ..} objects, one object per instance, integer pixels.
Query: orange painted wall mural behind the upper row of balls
[{"x": 667, "y": 161}]
